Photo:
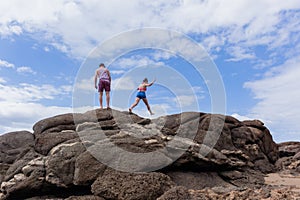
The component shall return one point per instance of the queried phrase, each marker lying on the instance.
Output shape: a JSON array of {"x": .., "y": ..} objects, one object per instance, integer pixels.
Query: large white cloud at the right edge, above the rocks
[{"x": 278, "y": 97}]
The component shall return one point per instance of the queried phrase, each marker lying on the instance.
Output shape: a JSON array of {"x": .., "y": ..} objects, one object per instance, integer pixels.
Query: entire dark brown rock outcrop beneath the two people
[{"x": 108, "y": 154}]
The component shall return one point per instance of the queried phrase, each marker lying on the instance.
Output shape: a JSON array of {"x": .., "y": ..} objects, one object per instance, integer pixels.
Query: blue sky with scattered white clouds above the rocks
[{"x": 255, "y": 46}]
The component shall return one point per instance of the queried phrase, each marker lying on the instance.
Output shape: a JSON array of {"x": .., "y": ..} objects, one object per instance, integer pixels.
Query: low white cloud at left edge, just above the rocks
[{"x": 20, "y": 105}]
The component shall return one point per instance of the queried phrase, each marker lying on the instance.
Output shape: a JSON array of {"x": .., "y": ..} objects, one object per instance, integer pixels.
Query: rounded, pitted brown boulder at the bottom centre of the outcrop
[{"x": 120, "y": 185}]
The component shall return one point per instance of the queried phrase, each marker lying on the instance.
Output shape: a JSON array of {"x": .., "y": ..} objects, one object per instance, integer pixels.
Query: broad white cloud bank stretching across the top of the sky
[{"x": 248, "y": 22}]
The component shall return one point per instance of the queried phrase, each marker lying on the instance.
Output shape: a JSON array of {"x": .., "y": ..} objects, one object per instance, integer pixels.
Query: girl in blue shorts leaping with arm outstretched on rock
[{"x": 142, "y": 95}]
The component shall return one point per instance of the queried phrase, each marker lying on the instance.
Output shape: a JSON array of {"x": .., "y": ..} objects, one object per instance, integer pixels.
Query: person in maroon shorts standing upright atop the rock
[{"x": 104, "y": 77}]
